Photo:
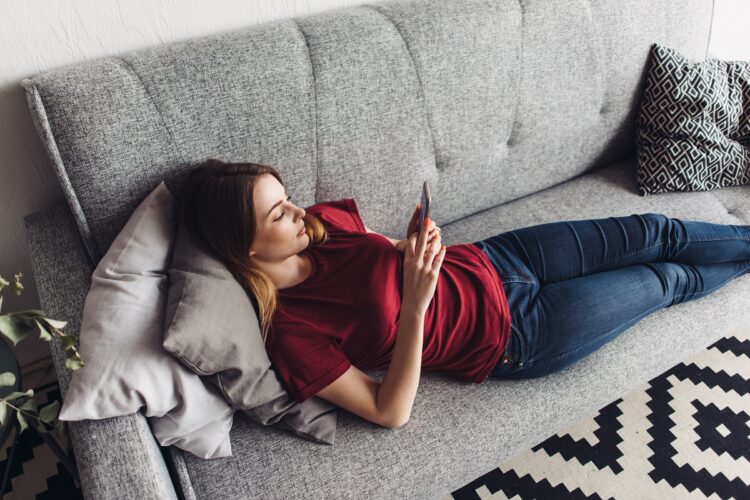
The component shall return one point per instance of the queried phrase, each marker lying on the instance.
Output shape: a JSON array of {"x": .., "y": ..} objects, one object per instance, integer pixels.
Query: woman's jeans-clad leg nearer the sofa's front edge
[{"x": 557, "y": 324}]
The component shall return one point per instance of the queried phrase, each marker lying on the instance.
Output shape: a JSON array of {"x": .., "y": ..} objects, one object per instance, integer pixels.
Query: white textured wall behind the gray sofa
[{"x": 37, "y": 35}]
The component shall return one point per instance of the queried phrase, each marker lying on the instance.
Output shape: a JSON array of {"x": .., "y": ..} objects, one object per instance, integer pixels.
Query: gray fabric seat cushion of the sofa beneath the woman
[{"x": 457, "y": 430}]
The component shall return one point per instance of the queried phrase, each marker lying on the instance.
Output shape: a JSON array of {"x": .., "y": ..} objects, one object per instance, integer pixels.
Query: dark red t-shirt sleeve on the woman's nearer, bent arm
[{"x": 306, "y": 362}]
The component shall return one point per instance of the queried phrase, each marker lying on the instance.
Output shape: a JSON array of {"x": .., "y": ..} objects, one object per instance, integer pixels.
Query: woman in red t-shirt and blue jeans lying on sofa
[{"x": 331, "y": 294}]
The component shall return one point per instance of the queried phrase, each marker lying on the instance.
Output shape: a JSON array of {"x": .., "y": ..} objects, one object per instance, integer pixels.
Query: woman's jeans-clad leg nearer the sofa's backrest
[{"x": 558, "y": 251}]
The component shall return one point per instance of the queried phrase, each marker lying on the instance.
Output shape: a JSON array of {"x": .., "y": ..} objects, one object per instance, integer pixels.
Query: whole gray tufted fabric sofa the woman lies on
[{"x": 517, "y": 113}]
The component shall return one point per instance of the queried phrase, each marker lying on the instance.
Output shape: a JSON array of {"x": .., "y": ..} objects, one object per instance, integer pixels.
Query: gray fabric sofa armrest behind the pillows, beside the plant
[{"x": 117, "y": 457}]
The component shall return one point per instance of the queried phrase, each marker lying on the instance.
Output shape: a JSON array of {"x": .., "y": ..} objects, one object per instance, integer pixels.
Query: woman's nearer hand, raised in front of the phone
[{"x": 423, "y": 258}]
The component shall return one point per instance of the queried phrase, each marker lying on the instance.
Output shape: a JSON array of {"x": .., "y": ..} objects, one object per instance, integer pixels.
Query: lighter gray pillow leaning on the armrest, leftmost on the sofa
[{"x": 126, "y": 369}]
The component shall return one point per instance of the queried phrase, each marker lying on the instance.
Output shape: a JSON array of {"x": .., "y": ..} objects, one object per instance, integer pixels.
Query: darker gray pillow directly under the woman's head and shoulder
[{"x": 211, "y": 325}]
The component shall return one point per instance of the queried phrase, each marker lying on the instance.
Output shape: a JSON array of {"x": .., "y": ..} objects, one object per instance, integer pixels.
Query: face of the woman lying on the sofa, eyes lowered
[{"x": 278, "y": 222}]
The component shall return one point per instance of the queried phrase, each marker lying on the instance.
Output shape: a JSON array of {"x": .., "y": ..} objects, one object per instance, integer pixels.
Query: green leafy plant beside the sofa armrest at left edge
[{"x": 23, "y": 406}]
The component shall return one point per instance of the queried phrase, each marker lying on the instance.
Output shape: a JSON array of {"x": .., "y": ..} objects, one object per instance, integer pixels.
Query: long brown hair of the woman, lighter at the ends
[{"x": 216, "y": 206}]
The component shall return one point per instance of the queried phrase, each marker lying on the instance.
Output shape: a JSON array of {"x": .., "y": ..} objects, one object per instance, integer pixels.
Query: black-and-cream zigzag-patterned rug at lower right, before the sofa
[{"x": 683, "y": 434}]
